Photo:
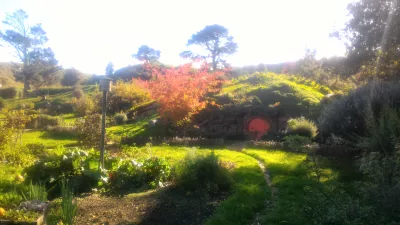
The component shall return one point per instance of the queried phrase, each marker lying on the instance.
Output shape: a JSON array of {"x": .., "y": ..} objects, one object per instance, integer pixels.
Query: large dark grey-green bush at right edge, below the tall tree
[{"x": 346, "y": 117}]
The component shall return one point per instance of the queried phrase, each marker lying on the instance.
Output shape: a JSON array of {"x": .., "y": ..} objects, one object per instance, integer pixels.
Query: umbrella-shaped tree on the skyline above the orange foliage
[{"x": 216, "y": 40}]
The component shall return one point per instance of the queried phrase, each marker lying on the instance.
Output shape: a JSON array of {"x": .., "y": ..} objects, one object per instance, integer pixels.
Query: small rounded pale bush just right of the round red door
[{"x": 303, "y": 127}]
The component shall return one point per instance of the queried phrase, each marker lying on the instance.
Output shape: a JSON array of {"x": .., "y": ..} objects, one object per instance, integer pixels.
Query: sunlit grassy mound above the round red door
[{"x": 297, "y": 96}]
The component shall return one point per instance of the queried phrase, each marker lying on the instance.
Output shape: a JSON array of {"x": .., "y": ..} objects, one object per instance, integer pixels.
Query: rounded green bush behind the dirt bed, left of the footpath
[{"x": 203, "y": 174}]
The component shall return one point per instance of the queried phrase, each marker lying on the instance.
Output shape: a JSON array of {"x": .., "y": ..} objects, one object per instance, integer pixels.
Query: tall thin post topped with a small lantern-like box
[{"x": 105, "y": 86}]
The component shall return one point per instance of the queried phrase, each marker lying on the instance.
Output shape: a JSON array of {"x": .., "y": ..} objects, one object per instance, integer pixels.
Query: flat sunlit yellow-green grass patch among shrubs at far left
[{"x": 48, "y": 139}]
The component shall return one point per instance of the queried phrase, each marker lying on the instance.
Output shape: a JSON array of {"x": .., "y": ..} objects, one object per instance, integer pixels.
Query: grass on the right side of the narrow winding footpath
[{"x": 289, "y": 174}]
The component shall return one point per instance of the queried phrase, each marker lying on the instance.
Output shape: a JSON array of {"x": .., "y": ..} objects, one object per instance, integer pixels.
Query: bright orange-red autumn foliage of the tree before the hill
[{"x": 181, "y": 91}]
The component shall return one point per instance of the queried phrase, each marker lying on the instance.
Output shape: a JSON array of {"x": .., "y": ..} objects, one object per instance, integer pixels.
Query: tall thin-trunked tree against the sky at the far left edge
[{"x": 24, "y": 38}]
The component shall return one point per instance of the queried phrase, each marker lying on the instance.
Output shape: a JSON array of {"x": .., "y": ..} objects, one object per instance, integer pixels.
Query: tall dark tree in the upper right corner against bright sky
[{"x": 373, "y": 30}]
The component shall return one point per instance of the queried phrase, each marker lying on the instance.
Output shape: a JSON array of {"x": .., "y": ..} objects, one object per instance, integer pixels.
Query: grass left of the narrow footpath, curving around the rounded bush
[{"x": 250, "y": 189}]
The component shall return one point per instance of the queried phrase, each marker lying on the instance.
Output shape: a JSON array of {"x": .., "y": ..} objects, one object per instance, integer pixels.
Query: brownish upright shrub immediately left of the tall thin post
[{"x": 88, "y": 130}]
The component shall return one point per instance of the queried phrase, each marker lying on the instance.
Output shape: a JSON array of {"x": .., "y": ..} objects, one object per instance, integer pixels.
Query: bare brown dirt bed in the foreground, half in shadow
[{"x": 165, "y": 206}]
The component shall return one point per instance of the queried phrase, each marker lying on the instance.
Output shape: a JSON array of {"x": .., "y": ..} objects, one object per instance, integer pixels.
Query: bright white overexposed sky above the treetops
[{"x": 87, "y": 34}]
